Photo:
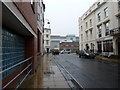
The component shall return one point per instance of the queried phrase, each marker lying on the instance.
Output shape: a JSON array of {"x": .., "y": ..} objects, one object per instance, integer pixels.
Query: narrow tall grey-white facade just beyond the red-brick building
[{"x": 40, "y": 25}]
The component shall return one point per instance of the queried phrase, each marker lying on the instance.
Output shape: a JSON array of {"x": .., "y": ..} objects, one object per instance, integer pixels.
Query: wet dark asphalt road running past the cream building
[{"x": 90, "y": 73}]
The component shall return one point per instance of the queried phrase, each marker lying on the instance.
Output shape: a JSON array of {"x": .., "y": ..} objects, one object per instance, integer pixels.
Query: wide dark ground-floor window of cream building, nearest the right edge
[{"x": 108, "y": 46}]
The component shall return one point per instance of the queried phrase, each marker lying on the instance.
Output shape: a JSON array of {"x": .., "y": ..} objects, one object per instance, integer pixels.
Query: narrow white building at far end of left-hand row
[{"x": 47, "y": 40}]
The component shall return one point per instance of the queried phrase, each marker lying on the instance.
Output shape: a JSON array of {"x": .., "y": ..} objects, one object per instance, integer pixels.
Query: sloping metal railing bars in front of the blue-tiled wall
[{"x": 28, "y": 66}]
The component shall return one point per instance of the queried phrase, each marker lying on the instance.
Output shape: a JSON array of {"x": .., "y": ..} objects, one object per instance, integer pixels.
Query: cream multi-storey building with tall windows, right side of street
[{"x": 95, "y": 26}]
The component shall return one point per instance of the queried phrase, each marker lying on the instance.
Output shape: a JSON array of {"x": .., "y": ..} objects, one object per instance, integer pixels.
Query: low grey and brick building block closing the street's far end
[{"x": 64, "y": 42}]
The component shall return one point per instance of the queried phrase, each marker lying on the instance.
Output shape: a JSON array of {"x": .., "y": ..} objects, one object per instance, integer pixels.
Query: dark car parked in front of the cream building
[{"x": 86, "y": 53}]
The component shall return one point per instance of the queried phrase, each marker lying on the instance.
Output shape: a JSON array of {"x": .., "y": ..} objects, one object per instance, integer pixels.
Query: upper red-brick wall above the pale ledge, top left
[{"x": 27, "y": 12}]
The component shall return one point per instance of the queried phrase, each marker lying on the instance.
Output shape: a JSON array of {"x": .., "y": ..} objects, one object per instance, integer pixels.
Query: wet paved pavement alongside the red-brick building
[{"x": 47, "y": 76}]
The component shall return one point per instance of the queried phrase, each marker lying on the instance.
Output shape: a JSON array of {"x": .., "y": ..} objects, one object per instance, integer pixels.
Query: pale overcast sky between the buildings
[{"x": 63, "y": 15}]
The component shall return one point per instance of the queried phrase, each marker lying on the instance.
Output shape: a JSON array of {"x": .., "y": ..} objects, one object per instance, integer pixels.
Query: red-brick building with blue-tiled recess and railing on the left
[{"x": 19, "y": 41}]
